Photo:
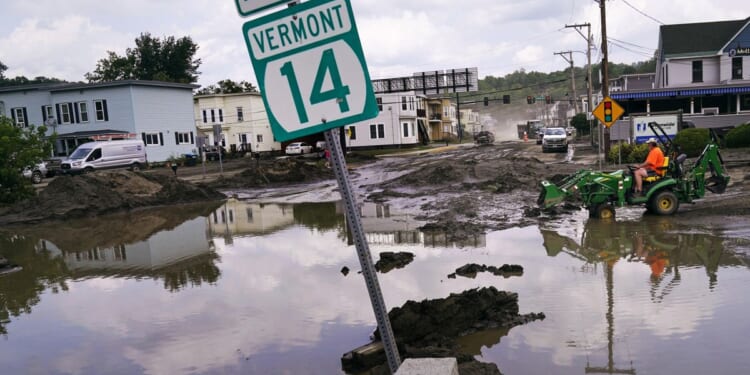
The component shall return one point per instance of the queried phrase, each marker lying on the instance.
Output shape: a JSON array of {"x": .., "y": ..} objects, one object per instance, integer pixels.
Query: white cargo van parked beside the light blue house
[{"x": 106, "y": 154}]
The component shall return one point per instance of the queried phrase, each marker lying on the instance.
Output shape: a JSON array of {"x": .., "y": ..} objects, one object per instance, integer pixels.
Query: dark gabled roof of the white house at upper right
[{"x": 696, "y": 39}]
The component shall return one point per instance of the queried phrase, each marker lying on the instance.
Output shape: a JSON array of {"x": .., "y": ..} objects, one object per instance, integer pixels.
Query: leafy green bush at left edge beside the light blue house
[{"x": 20, "y": 148}]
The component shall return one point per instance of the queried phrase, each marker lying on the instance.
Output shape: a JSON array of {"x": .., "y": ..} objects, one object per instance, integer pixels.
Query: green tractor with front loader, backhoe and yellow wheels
[{"x": 601, "y": 192}]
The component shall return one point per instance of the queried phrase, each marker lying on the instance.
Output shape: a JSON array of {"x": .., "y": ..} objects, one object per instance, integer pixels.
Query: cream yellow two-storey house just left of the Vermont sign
[{"x": 242, "y": 118}]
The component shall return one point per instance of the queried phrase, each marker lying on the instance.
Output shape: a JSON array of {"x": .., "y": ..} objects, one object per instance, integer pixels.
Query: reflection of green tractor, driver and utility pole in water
[{"x": 651, "y": 241}]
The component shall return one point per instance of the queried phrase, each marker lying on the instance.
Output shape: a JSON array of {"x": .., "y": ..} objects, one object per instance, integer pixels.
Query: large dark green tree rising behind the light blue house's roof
[{"x": 167, "y": 59}]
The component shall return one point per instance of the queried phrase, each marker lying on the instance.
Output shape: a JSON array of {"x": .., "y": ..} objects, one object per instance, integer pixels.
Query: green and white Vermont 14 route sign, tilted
[{"x": 310, "y": 68}]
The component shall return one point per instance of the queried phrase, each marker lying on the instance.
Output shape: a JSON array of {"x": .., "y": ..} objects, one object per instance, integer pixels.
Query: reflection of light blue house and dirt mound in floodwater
[{"x": 167, "y": 244}]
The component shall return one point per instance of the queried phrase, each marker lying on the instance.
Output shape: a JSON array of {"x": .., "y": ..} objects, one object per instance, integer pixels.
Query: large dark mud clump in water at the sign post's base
[{"x": 430, "y": 328}]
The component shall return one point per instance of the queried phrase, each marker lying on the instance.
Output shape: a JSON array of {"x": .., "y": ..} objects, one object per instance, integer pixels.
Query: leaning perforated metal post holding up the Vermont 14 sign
[{"x": 363, "y": 250}]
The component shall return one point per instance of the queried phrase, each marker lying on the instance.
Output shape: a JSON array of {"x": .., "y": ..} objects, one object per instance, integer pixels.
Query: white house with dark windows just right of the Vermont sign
[{"x": 396, "y": 124}]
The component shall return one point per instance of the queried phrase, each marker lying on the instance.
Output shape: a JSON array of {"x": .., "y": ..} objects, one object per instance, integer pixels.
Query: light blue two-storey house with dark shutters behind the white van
[{"x": 160, "y": 113}]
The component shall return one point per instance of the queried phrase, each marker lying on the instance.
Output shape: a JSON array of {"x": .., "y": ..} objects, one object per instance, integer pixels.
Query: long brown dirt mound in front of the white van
[{"x": 102, "y": 192}]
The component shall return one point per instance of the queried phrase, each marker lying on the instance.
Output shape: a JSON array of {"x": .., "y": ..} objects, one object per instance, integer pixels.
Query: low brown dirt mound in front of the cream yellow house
[{"x": 274, "y": 173}]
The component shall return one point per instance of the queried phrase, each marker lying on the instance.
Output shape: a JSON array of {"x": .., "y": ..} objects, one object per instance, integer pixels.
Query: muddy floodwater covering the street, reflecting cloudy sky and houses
[{"x": 257, "y": 288}]
